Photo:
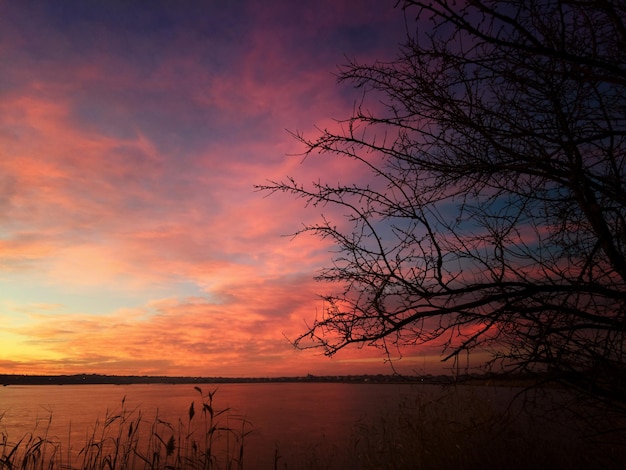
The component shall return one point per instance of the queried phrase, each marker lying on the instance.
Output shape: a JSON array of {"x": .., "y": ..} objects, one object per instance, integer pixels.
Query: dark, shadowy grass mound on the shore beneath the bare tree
[{"x": 464, "y": 429}]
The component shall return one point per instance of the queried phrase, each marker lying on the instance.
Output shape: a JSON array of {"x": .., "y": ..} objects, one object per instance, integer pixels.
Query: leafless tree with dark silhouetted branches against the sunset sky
[{"x": 495, "y": 215}]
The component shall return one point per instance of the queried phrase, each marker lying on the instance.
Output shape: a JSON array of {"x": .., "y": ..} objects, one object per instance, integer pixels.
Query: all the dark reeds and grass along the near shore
[{"x": 461, "y": 428}]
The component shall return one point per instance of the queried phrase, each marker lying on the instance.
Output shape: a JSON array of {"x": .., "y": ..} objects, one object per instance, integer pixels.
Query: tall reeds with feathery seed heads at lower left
[{"x": 124, "y": 439}]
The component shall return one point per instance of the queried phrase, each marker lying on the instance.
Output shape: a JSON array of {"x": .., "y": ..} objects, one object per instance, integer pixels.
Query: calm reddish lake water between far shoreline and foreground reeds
[{"x": 295, "y": 417}]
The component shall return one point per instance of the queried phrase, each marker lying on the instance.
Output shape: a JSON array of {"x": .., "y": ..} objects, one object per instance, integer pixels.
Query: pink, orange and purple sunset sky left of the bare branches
[{"x": 132, "y": 240}]
